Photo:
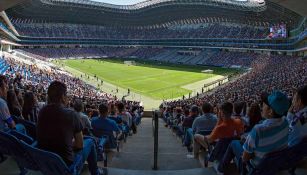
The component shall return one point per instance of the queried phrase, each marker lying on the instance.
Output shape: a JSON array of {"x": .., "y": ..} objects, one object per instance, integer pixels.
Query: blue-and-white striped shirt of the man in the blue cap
[{"x": 269, "y": 136}]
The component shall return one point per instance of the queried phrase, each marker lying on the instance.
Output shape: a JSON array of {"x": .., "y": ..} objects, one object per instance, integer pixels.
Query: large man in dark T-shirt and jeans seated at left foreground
[{"x": 59, "y": 130}]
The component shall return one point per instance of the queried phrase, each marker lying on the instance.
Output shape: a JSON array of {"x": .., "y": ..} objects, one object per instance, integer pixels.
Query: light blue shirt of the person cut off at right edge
[{"x": 298, "y": 130}]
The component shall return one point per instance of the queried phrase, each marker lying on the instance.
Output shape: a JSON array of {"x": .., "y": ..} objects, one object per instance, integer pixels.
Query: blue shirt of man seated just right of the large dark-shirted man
[{"x": 100, "y": 124}]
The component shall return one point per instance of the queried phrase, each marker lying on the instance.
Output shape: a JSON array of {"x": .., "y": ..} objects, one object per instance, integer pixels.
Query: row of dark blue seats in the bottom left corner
[{"x": 28, "y": 157}]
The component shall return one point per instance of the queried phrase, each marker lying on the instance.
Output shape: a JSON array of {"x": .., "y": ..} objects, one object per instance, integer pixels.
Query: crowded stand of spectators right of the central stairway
[{"x": 257, "y": 121}]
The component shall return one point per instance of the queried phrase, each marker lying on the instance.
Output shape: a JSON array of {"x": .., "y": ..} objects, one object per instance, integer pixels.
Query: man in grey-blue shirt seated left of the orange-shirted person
[{"x": 205, "y": 122}]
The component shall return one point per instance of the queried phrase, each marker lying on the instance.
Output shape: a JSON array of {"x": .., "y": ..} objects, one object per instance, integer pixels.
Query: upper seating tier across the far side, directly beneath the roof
[{"x": 64, "y": 30}]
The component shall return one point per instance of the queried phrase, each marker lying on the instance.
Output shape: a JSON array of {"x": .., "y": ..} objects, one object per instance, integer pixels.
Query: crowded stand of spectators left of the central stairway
[{"x": 52, "y": 111}]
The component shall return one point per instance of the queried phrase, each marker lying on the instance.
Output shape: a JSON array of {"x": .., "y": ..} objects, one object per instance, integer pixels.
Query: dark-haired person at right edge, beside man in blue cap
[{"x": 297, "y": 116}]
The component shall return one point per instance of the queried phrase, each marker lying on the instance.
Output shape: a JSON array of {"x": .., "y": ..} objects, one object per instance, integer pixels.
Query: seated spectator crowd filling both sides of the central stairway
[{"x": 261, "y": 112}]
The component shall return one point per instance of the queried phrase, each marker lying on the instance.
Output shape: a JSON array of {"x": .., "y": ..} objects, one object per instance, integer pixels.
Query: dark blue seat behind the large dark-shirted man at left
[{"x": 50, "y": 163}]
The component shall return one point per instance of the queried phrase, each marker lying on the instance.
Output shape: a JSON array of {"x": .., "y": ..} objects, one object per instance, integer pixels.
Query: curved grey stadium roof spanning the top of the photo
[{"x": 151, "y": 12}]
